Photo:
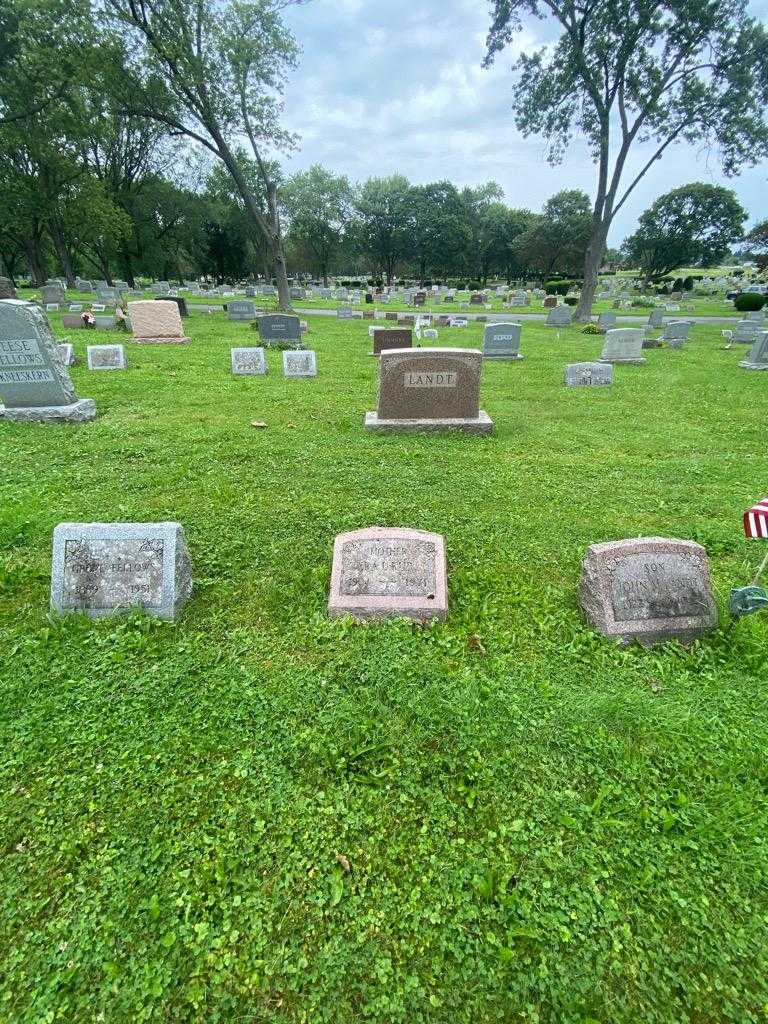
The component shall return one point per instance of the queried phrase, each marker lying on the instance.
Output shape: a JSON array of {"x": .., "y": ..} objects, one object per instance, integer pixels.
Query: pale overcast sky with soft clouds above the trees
[{"x": 396, "y": 88}]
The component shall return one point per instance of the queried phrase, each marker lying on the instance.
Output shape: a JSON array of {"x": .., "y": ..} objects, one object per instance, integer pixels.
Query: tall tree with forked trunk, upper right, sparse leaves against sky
[{"x": 632, "y": 72}]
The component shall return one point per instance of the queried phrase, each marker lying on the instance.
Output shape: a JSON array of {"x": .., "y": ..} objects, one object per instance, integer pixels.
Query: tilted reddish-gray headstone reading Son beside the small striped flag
[{"x": 651, "y": 590}]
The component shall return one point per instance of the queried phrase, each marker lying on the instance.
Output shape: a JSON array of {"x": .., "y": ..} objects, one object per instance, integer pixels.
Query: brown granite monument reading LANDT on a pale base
[{"x": 431, "y": 390}]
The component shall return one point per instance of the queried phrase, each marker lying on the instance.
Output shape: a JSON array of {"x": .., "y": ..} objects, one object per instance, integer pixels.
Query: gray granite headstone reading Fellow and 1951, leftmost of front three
[{"x": 103, "y": 569}]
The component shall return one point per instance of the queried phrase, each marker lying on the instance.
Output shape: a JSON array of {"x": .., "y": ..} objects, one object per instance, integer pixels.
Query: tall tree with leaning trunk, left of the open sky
[{"x": 214, "y": 71}]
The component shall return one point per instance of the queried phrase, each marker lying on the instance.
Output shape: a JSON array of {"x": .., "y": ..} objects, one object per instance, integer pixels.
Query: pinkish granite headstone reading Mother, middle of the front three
[{"x": 390, "y": 573}]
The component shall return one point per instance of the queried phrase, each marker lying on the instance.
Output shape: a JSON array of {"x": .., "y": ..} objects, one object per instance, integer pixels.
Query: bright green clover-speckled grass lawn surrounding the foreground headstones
[{"x": 260, "y": 815}]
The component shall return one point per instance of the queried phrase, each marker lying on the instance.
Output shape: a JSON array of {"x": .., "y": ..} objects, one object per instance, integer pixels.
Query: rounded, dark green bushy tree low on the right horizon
[{"x": 694, "y": 226}]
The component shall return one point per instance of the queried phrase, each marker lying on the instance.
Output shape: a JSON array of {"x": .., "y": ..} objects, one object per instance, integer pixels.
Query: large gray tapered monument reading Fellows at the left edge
[{"x": 35, "y": 387}]
